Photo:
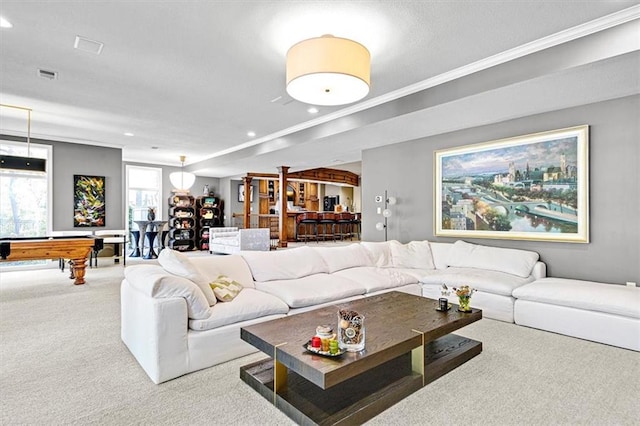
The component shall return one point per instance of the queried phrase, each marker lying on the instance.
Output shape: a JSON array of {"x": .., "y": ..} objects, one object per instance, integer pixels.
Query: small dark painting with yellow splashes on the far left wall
[{"x": 88, "y": 201}]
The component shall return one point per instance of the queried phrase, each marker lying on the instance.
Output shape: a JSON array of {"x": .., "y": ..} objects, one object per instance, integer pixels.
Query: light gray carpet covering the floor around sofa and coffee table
[{"x": 62, "y": 362}]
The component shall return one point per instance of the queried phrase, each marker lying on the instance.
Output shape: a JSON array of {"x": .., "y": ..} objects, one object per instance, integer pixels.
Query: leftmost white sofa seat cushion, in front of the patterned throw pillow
[{"x": 249, "y": 304}]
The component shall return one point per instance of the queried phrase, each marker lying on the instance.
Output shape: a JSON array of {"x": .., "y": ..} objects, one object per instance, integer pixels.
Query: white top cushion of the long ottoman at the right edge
[{"x": 593, "y": 296}]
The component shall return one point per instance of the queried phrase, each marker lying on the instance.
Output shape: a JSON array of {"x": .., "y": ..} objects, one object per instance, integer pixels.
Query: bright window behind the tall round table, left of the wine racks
[{"x": 144, "y": 191}]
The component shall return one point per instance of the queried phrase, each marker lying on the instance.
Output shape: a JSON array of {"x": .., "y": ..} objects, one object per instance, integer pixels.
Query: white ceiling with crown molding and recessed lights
[{"x": 193, "y": 77}]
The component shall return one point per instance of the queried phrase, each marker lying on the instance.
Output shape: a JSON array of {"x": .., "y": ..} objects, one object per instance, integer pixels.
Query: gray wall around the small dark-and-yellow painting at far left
[{"x": 73, "y": 159}]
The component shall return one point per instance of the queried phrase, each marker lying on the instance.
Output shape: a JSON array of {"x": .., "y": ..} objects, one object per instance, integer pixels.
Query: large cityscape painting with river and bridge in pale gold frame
[{"x": 532, "y": 187}]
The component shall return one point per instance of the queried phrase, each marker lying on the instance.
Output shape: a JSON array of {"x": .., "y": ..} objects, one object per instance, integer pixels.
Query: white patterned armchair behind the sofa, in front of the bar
[{"x": 233, "y": 240}]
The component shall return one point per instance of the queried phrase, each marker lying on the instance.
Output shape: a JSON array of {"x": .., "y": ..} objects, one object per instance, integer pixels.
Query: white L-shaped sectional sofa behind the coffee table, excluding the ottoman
[{"x": 173, "y": 323}]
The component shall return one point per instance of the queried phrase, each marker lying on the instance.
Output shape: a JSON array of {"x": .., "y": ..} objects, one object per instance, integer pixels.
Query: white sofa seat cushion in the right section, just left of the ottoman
[{"x": 483, "y": 280}]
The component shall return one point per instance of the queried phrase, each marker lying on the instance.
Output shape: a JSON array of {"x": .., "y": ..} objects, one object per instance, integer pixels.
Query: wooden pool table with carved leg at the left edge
[{"x": 77, "y": 249}]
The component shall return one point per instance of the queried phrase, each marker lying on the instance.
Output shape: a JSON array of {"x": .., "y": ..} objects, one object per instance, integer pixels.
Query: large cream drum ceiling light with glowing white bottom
[{"x": 328, "y": 70}]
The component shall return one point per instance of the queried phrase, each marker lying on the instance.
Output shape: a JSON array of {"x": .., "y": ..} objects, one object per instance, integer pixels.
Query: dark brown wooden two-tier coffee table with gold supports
[{"x": 408, "y": 345}]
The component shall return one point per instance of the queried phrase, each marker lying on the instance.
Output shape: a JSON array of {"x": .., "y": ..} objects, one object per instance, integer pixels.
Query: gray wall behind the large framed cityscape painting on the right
[{"x": 613, "y": 254}]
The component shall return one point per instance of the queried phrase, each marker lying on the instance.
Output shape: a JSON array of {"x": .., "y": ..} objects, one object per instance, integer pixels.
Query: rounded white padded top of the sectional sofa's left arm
[{"x": 153, "y": 281}]
